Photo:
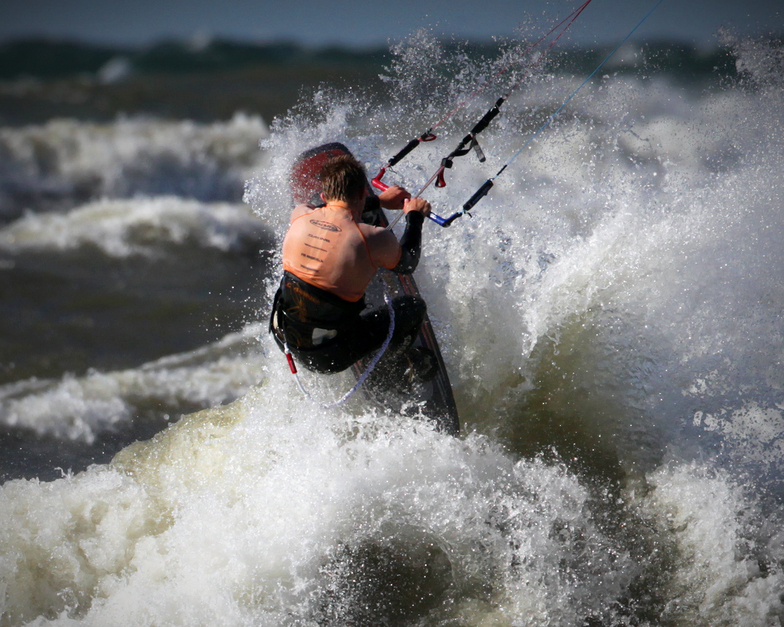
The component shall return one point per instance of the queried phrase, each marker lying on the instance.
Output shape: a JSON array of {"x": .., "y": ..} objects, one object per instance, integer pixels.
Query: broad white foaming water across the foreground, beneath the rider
[{"x": 262, "y": 513}]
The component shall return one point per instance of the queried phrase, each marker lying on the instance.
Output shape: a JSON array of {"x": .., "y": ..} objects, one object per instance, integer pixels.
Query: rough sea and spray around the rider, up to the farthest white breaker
[{"x": 611, "y": 319}]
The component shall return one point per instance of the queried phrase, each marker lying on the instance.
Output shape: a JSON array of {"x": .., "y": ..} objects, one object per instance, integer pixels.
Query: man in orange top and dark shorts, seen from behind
[{"x": 329, "y": 257}]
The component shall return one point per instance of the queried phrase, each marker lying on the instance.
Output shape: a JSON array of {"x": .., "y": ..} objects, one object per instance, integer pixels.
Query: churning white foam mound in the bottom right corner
[{"x": 716, "y": 539}]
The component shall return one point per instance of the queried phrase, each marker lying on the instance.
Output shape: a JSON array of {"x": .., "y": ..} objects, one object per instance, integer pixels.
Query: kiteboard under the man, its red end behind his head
[{"x": 432, "y": 397}]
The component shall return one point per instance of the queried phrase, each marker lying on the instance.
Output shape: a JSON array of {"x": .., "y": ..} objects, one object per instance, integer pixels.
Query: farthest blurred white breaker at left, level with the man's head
[{"x": 64, "y": 163}]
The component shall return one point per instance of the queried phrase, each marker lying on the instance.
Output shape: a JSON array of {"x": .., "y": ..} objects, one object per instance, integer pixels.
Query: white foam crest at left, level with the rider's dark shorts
[{"x": 82, "y": 408}]
